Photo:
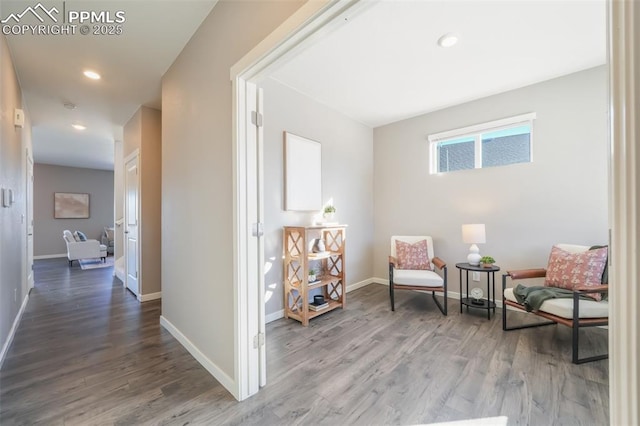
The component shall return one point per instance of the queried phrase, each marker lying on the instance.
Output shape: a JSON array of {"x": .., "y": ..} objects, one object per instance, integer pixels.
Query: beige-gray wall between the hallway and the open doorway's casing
[{"x": 197, "y": 183}]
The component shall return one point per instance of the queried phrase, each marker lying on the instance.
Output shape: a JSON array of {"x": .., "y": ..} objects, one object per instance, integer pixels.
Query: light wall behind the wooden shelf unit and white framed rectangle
[{"x": 347, "y": 178}]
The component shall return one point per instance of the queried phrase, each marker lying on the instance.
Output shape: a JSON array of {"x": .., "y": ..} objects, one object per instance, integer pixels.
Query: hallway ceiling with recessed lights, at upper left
[{"x": 131, "y": 64}]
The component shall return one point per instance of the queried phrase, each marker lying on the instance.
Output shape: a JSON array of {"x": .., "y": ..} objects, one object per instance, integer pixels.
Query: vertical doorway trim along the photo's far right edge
[{"x": 624, "y": 211}]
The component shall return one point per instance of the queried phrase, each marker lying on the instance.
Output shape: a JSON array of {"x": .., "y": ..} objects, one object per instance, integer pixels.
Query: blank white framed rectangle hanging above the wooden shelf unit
[{"x": 302, "y": 173}]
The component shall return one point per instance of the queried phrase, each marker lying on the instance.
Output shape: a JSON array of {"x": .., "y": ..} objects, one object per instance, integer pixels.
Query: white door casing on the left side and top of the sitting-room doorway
[{"x": 305, "y": 24}]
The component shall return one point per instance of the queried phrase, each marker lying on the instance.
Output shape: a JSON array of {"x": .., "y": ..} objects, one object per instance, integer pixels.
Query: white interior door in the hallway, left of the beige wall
[{"x": 132, "y": 215}]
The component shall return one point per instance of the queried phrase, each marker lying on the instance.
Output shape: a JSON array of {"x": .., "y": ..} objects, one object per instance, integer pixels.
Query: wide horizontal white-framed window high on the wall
[{"x": 498, "y": 143}]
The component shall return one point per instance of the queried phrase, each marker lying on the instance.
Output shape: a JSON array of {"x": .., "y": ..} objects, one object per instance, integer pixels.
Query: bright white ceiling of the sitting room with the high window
[{"x": 384, "y": 65}]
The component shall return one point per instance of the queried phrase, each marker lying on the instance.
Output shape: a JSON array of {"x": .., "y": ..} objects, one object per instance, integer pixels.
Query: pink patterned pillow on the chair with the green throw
[{"x": 567, "y": 270}]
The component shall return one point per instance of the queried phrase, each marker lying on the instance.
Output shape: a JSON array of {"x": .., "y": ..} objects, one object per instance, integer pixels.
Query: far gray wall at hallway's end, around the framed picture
[{"x": 49, "y": 179}]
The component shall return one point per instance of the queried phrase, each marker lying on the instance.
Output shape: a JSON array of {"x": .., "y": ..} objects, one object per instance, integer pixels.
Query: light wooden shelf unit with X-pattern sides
[{"x": 297, "y": 259}]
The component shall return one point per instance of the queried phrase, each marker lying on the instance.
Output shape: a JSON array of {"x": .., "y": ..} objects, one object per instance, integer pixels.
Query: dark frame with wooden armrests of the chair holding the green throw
[{"x": 575, "y": 323}]
